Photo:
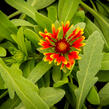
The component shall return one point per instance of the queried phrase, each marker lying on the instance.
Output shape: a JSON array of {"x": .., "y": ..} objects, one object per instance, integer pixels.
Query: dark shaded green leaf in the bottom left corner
[{"x": 10, "y": 103}]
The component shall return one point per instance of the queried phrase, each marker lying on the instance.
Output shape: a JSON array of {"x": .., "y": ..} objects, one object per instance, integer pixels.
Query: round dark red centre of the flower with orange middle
[{"x": 62, "y": 46}]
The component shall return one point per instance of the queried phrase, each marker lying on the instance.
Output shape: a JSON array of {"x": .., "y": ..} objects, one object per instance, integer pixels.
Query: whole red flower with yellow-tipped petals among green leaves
[{"x": 64, "y": 48}]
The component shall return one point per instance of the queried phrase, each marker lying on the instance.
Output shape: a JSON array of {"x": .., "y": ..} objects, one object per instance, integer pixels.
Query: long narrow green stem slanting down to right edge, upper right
[{"x": 94, "y": 13}]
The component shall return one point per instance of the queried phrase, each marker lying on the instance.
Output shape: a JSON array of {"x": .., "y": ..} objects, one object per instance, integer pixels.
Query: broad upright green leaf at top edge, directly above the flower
[{"x": 67, "y": 9}]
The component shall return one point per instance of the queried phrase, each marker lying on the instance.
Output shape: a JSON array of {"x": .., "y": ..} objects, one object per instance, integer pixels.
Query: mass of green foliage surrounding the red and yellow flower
[{"x": 27, "y": 82}]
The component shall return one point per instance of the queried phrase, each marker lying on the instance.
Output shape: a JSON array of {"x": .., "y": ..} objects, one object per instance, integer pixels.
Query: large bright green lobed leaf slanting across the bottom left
[{"x": 25, "y": 89}]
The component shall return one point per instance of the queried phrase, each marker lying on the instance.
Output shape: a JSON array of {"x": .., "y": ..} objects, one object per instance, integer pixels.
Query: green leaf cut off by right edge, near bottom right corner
[{"x": 104, "y": 95}]
